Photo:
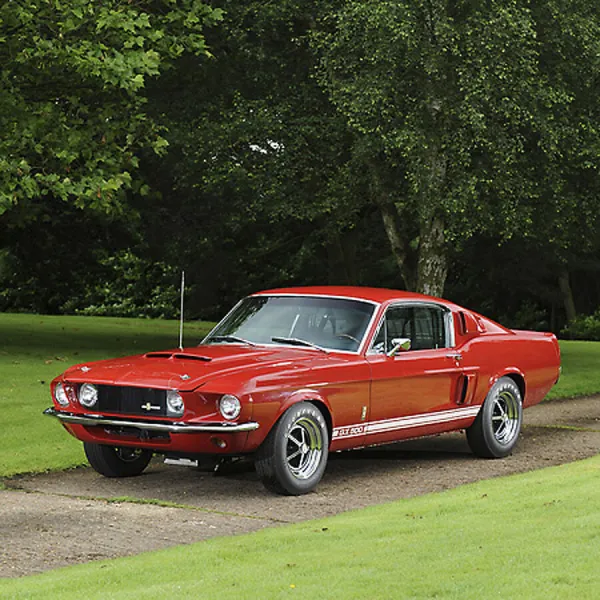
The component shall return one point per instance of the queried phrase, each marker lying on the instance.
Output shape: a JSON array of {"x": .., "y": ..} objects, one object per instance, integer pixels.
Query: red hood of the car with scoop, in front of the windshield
[{"x": 187, "y": 369}]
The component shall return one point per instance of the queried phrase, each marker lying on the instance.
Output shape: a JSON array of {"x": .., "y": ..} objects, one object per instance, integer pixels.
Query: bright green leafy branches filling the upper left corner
[{"x": 72, "y": 107}]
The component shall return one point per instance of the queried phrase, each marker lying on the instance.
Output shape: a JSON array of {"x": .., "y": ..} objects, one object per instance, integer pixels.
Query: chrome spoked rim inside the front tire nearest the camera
[{"x": 304, "y": 448}]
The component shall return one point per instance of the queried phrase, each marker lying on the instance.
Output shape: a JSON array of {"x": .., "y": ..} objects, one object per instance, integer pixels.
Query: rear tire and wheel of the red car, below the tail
[{"x": 496, "y": 428}]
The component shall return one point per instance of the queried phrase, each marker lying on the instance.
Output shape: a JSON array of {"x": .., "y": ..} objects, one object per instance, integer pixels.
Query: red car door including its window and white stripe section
[{"x": 416, "y": 391}]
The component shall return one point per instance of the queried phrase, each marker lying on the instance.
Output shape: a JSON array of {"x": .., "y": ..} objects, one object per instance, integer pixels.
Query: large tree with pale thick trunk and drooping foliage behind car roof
[{"x": 460, "y": 114}]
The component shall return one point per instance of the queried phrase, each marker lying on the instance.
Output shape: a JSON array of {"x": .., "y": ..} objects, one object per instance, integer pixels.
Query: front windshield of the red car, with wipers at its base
[{"x": 329, "y": 323}]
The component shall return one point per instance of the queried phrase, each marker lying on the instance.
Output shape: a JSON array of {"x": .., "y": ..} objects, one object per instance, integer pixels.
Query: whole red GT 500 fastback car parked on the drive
[{"x": 290, "y": 375}]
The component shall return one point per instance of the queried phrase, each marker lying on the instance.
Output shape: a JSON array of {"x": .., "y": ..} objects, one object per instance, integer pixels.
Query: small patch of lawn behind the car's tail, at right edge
[{"x": 581, "y": 370}]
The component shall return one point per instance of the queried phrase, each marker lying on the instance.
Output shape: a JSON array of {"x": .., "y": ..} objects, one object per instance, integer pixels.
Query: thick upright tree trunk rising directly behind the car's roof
[{"x": 433, "y": 259}]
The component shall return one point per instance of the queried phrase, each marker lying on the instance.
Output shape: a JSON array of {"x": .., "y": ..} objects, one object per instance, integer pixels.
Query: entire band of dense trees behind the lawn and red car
[{"x": 414, "y": 143}]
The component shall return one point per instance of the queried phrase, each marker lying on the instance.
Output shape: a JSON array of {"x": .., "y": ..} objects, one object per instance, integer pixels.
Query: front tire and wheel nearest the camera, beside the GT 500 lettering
[{"x": 293, "y": 457}]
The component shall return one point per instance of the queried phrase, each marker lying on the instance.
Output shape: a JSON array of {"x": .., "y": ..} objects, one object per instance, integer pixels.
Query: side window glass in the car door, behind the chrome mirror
[{"x": 423, "y": 325}]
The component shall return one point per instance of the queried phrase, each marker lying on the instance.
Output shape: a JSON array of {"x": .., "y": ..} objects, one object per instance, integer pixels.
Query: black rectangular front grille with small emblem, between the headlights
[{"x": 132, "y": 401}]
